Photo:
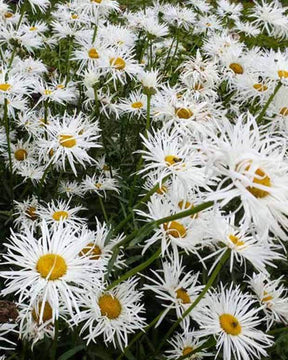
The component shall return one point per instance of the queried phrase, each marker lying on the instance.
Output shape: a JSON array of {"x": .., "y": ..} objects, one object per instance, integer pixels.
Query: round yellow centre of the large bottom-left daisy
[{"x": 51, "y": 266}]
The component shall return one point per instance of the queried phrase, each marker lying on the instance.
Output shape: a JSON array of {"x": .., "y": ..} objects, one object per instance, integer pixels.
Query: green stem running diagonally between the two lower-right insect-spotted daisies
[{"x": 210, "y": 282}]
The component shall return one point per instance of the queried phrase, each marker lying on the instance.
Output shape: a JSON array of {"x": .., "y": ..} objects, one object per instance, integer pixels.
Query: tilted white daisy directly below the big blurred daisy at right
[{"x": 244, "y": 246}]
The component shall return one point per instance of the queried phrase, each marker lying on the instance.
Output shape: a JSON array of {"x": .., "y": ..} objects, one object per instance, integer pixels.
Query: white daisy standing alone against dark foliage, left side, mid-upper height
[{"x": 70, "y": 138}]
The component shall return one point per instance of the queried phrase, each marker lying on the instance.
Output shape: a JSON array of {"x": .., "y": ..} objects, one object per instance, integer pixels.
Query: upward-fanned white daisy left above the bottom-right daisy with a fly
[{"x": 175, "y": 288}]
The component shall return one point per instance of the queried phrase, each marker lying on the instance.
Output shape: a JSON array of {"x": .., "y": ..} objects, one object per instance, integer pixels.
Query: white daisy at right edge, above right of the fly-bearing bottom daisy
[{"x": 272, "y": 296}]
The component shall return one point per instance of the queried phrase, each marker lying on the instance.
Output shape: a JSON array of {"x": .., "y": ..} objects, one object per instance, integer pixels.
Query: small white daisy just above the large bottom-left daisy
[{"x": 58, "y": 212}]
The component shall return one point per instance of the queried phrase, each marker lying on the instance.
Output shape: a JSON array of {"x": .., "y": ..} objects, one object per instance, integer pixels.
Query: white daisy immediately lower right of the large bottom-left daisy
[{"x": 114, "y": 313}]
